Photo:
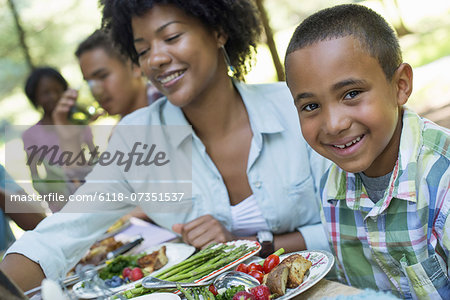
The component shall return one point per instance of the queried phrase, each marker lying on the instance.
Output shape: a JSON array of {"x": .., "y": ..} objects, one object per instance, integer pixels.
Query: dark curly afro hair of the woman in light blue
[{"x": 238, "y": 19}]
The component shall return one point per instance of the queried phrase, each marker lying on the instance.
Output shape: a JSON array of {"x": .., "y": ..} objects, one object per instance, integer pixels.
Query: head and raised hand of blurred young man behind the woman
[{"x": 117, "y": 83}]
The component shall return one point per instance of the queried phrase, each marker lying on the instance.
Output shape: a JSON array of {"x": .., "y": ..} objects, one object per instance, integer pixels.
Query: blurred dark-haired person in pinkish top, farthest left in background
[{"x": 44, "y": 87}]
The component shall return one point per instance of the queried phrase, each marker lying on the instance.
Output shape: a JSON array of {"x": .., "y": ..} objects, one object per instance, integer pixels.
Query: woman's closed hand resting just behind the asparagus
[{"x": 203, "y": 231}]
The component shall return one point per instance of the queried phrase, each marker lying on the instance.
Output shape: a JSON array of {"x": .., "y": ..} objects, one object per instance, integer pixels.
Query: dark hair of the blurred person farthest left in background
[{"x": 35, "y": 77}]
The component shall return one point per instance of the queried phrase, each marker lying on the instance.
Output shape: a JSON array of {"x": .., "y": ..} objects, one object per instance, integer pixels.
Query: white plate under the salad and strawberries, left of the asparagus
[{"x": 176, "y": 252}]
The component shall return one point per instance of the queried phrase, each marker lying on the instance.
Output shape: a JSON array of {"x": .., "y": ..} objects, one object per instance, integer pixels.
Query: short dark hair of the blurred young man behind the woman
[{"x": 100, "y": 39}]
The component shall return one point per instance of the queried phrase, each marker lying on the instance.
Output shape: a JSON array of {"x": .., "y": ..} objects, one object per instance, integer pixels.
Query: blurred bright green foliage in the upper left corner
[{"x": 51, "y": 30}]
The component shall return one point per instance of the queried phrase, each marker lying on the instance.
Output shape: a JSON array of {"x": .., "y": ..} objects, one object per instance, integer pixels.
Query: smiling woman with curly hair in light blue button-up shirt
[{"x": 251, "y": 170}]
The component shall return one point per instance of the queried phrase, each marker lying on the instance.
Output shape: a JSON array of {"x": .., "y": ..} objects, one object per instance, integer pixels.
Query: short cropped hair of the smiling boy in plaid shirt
[{"x": 371, "y": 29}]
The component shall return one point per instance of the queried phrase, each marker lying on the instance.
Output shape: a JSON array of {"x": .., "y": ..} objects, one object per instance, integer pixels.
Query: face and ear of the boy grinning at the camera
[{"x": 349, "y": 112}]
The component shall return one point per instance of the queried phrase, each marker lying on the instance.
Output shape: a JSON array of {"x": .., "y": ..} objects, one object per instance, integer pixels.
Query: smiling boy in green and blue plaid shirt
[{"x": 385, "y": 203}]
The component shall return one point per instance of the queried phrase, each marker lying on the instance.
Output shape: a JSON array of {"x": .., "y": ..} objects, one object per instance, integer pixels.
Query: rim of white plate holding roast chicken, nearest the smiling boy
[{"x": 322, "y": 262}]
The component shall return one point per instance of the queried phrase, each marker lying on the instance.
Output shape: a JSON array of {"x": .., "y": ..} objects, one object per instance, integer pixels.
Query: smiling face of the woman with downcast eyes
[{"x": 178, "y": 54}]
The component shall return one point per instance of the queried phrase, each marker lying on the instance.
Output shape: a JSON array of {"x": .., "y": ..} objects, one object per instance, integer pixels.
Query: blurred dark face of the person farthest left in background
[{"x": 48, "y": 93}]
